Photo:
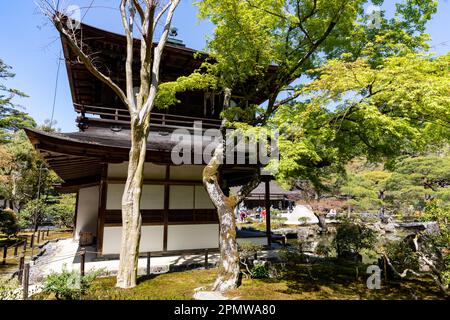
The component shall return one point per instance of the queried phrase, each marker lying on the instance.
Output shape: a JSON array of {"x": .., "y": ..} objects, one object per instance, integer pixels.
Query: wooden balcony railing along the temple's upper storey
[{"x": 122, "y": 117}]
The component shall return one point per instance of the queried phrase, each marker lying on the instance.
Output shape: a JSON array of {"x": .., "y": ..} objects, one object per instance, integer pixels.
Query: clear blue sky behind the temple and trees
[{"x": 31, "y": 46}]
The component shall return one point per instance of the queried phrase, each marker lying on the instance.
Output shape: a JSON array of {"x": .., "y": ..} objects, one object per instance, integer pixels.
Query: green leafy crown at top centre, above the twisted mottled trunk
[{"x": 251, "y": 35}]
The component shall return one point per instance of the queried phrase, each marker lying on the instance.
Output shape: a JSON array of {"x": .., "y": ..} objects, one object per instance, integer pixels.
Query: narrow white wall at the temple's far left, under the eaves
[{"x": 87, "y": 210}]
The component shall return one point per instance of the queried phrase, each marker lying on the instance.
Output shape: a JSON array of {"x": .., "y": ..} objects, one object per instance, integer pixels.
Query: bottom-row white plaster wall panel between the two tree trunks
[{"x": 200, "y": 236}]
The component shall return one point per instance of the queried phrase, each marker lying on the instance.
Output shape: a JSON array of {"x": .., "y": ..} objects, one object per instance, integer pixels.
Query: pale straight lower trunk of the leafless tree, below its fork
[{"x": 131, "y": 213}]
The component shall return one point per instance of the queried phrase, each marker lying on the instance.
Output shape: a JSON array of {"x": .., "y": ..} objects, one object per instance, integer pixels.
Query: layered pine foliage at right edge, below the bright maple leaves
[{"x": 403, "y": 186}]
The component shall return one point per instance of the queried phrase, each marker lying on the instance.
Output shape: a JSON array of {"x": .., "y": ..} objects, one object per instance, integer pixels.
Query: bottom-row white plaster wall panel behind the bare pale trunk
[{"x": 152, "y": 238}]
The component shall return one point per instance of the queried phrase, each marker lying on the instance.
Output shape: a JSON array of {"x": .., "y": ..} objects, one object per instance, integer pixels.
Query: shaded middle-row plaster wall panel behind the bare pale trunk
[{"x": 152, "y": 197}]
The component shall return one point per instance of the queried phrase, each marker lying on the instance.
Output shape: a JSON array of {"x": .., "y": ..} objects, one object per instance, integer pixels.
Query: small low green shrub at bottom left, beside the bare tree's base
[{"x": 69, "y": 285}]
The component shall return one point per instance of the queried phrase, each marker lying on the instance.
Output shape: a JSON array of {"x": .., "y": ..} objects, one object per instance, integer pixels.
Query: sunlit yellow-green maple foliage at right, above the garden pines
[{"x": 354, "y": 109}]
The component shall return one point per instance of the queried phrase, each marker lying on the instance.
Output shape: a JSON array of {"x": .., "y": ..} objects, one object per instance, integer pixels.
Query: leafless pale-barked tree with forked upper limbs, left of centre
[{"x": 143, "y": 15}]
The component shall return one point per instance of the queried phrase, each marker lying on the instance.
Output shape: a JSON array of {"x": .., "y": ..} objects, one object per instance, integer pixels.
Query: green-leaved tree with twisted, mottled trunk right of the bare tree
[{"x": 253, "y": 36}]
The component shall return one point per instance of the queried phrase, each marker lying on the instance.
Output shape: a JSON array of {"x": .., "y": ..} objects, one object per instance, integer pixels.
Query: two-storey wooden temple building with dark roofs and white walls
[{"x": 177, "y": 213}]
